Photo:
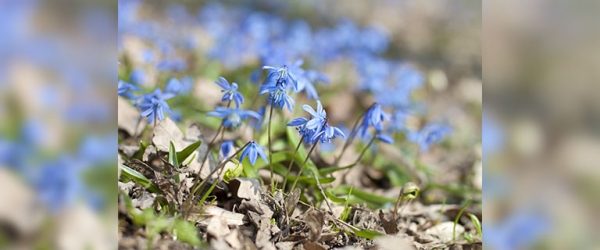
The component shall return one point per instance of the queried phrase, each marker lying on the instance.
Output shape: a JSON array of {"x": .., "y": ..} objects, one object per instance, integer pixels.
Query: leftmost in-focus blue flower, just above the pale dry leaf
[{"x": 153, "y": 105}]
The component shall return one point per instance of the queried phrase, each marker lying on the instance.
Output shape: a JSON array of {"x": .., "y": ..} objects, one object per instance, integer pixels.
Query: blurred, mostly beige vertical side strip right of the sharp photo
[{"x": 541, "y": 124}]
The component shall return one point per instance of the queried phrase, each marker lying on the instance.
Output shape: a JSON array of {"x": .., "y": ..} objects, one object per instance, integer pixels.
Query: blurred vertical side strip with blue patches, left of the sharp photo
[{"x": 58, "y": 133}]
